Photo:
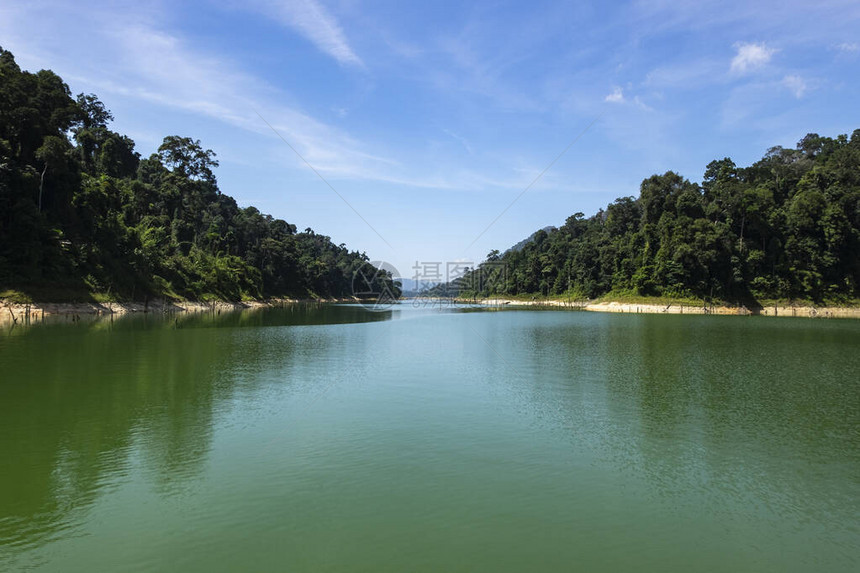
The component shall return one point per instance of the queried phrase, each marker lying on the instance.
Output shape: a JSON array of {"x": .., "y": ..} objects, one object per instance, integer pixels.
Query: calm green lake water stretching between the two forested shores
[{"x": 334, "y": 439}]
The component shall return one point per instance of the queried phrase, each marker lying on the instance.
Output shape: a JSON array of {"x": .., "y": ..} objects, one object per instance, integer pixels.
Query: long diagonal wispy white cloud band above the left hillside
[{"x": 161, "y": 70}]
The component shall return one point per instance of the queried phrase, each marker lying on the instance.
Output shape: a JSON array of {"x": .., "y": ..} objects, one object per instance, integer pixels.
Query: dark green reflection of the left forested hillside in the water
[{"x": 80, "y": 402}]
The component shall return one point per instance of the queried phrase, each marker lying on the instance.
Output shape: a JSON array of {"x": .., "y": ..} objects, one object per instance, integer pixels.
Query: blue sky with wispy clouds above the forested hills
[{"x": 430, "y": 118}]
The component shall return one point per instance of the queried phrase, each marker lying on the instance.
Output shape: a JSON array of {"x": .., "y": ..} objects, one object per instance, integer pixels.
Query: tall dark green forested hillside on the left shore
[{"x": 81, "y": 214}]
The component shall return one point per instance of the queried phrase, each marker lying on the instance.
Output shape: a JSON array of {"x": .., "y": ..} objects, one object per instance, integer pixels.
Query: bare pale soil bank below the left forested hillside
[{"x": 11, "y": 313}]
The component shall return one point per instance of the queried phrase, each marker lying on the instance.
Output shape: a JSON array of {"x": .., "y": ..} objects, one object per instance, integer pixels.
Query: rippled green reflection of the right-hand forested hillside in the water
[{"x": 759, "y": 416}]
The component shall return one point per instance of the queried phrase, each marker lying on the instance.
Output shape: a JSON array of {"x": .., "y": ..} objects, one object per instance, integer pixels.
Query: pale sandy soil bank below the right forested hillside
[{"x": 640, "y": 308}]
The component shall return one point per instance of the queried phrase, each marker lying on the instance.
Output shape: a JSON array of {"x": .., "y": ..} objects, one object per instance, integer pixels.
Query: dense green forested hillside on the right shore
[{"x": 786, "y": 227}]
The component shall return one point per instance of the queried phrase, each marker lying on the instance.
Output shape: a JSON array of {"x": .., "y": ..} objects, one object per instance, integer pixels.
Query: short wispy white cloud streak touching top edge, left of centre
[{"x": 311, "y": 19}]
